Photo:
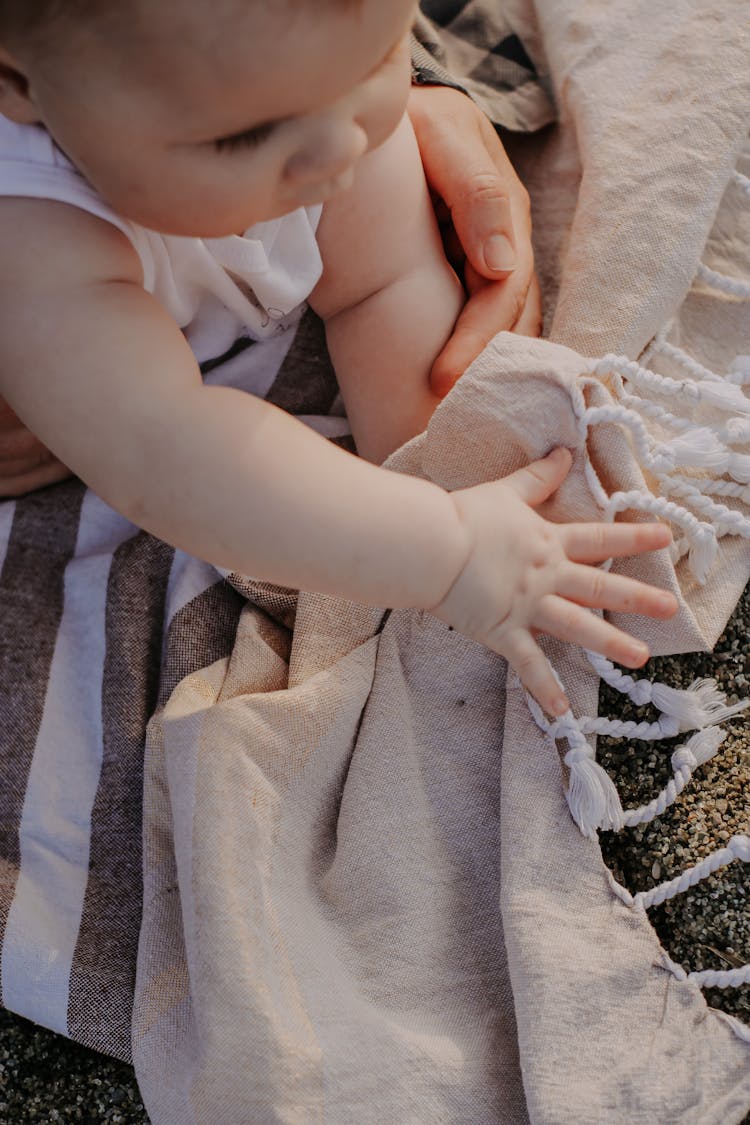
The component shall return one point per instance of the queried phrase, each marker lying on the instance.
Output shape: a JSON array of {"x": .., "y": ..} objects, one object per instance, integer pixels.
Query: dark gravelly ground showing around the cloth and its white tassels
[{"x": 44, "y": 1078}]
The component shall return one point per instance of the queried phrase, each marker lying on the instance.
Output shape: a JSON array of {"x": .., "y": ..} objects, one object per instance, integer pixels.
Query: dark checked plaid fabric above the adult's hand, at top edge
[{"x": 476, "y": 47}]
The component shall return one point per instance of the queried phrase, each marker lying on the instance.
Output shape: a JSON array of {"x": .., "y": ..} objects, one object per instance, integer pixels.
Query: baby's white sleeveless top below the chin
[{"x": 216, "y": 290}]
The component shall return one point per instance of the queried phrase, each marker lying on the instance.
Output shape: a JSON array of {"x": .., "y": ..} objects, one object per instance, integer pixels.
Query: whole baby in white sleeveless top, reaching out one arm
[{"x": 161, "y": 174}]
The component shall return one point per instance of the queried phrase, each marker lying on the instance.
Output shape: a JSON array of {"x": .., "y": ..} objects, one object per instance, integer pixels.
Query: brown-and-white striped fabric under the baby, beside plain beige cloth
[{"x": 101, "y": 623}]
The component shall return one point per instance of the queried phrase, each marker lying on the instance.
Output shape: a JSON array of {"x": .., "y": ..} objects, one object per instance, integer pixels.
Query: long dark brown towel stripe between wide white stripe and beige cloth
[{"x": 104, "y": 965}]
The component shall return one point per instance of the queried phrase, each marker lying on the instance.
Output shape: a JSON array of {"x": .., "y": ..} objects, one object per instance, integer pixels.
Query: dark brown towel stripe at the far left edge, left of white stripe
[{"x": 32, "y": 589}]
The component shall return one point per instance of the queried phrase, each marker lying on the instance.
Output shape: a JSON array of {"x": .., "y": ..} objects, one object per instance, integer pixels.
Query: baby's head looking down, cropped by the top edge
[{"x": 202, "y": 118}]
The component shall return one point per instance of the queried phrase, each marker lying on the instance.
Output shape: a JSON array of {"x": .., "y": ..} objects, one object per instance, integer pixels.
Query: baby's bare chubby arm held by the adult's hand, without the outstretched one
[{"x": 388, "y": 296}]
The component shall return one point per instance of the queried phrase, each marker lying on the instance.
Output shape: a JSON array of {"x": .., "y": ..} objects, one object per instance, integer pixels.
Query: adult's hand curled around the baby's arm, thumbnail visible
[{"x": 485, "y": 214}]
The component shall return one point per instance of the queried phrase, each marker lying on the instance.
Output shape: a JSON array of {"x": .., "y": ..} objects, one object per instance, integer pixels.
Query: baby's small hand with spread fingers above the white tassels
[{"x": 525, "y": 575}]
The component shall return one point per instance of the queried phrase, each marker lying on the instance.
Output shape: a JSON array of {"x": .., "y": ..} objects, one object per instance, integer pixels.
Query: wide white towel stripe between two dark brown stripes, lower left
[{"x": 56, "y": 830}]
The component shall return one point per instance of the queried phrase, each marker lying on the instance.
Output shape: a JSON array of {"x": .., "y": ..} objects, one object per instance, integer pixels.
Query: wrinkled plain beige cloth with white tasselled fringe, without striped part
[{"x": 366, "y": 897}]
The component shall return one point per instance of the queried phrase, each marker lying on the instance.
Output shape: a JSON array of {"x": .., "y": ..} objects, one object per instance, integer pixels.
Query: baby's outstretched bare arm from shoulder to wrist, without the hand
[{"x": 104, "y": 377}]
